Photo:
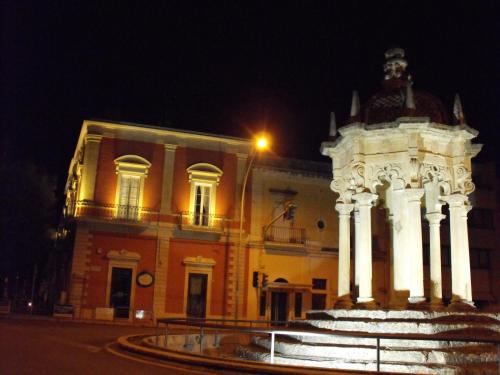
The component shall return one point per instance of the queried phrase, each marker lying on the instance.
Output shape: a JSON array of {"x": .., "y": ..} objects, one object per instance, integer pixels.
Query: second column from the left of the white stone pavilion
[{"x": 364, "y": 203}]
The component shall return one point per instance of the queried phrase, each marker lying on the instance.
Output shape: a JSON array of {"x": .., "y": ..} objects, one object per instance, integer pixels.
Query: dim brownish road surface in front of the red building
[{"x": 30, "y": 346}]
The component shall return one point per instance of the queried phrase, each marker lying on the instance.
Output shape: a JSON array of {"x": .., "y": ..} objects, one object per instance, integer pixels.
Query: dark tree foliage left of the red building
[{"x": 27, "y": 201}]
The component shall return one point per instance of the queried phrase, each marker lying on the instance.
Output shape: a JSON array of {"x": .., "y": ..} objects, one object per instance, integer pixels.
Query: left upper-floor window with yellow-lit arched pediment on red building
[{"x": 131, "y": 171}]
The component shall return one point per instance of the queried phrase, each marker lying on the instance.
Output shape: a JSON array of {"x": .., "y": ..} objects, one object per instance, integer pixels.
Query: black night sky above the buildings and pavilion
[{"x": 231, "y": 68}]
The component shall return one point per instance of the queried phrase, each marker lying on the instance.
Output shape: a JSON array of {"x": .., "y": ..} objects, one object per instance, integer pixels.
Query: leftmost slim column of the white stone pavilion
[{"x": 344, "y": 271}]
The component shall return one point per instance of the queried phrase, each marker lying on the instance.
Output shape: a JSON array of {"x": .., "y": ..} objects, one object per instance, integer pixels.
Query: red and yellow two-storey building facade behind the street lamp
[{"x": 155, "y": 218}]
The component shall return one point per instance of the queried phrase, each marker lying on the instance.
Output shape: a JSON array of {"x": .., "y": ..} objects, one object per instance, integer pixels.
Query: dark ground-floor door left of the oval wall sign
[{"x": 121, "y": 283}]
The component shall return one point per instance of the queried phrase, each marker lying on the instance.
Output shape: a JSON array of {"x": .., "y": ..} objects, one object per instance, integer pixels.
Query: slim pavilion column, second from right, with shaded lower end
[{"x": 434, "y": 220}]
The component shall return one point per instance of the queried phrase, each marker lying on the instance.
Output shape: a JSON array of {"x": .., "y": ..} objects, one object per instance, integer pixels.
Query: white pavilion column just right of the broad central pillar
[{"x": 414, "y": 243}]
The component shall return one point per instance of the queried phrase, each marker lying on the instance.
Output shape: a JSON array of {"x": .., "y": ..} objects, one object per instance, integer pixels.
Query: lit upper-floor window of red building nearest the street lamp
[{"x": 204, "y": 179}]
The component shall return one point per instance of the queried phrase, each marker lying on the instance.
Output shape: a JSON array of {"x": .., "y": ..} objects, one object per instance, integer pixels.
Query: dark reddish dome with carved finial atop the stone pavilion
[{"x": 397, "y": 97}]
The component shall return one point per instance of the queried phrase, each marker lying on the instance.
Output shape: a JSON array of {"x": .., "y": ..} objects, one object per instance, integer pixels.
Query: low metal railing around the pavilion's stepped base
[{"x": 264, "y": 327}]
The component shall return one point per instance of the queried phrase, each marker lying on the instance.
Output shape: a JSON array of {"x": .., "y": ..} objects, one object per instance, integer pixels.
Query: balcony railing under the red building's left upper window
[{"x": 116, "y": 212}]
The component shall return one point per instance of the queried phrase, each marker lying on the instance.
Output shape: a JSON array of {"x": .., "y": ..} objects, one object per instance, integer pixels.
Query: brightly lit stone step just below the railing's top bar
[{"x": 481, "y": 354}]
